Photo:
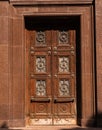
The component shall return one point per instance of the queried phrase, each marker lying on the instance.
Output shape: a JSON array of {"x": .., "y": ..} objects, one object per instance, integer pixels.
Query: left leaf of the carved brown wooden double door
[{"x": 40, "y": 78}]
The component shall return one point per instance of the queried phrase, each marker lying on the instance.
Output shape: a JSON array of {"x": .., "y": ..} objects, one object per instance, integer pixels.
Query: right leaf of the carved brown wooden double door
[{"x": 64, "y": 77}]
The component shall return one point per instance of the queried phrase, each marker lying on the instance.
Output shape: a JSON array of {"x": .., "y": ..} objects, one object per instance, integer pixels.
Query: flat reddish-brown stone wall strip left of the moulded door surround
[{"x": 4, "y": 62}]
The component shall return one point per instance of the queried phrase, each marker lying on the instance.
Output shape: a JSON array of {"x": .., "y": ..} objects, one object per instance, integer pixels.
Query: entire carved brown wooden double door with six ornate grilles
[{"x": 51, "y": 94}]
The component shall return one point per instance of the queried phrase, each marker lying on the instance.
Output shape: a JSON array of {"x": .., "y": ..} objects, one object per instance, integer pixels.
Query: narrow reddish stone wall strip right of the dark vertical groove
[{"x": 98, "y": 14}]
